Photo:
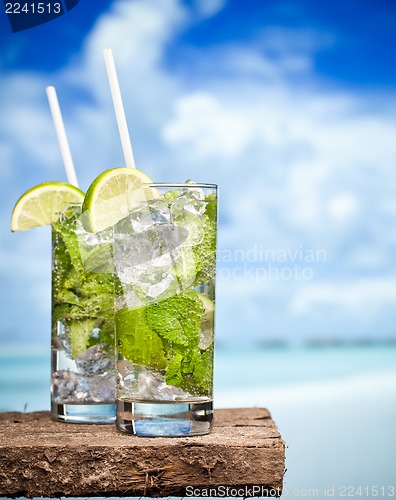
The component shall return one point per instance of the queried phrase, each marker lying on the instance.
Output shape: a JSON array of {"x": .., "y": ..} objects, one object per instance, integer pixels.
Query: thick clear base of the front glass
[{"x": 168, "y": 419}]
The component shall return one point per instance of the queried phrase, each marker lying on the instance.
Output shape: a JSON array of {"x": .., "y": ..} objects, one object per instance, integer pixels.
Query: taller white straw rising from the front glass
[{"x": 119, "y": 108}]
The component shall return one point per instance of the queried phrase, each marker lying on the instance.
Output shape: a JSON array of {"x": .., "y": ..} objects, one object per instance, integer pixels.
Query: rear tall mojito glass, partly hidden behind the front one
[{"x": 83, "y": 361}]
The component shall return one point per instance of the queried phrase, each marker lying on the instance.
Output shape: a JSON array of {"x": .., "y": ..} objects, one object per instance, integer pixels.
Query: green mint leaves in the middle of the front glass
[{"x": 166, "y": 336}]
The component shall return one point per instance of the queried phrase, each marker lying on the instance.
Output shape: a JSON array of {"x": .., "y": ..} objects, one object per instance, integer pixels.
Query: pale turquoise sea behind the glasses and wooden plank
[{"x": 335, "y": 408}]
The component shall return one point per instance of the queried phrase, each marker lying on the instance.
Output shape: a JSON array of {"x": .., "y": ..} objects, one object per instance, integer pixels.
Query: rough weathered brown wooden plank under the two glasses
[{"x": 40, "y": 457}]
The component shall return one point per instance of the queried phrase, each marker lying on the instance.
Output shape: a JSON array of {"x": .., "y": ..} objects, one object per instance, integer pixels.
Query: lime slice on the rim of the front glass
[{"x": 112, "y": 195}]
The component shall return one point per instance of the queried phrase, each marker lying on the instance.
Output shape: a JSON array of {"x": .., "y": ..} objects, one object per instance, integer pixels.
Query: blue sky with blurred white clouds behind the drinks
[{"x": 288, "y": 106}]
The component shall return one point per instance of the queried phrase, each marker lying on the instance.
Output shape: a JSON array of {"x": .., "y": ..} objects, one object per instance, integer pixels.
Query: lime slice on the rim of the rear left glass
[{"x": 41, "y": 205}]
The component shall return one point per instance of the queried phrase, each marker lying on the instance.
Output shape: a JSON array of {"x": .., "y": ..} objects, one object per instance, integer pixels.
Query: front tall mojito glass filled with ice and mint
[{"x": 165, "y": 258}]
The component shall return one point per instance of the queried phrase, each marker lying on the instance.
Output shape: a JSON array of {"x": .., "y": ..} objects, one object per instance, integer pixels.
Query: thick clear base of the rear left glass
[{"x": 95, "y": 413}]
